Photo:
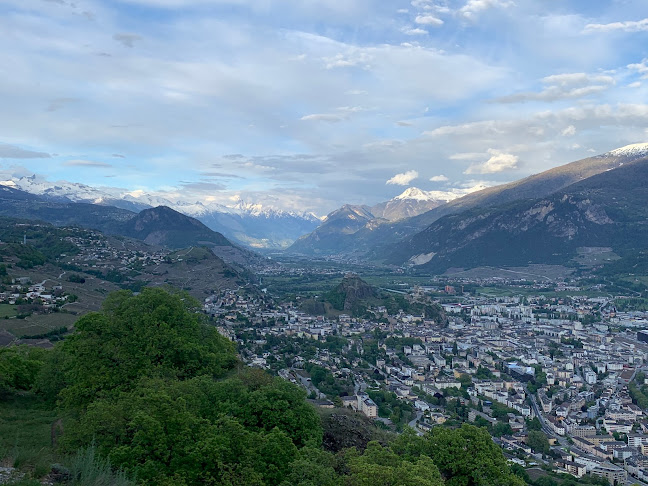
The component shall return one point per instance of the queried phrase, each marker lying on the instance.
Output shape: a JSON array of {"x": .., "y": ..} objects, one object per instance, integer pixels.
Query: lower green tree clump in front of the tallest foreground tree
[{"x": 178, "y": 429}]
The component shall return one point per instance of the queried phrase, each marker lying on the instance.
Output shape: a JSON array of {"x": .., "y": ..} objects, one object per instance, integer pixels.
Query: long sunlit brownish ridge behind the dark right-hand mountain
[{"x": 375, "y": 240}]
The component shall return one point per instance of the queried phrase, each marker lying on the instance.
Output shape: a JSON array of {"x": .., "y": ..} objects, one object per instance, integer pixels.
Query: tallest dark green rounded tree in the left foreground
[{"x": 154, "y": 334}]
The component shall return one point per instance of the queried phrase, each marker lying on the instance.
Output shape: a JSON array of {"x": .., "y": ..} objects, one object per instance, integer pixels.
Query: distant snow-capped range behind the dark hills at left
[{"x": 249, "y": 224}]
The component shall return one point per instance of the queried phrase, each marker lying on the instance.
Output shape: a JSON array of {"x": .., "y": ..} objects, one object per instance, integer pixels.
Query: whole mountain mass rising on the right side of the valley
[{"x": 594, "y": 202}]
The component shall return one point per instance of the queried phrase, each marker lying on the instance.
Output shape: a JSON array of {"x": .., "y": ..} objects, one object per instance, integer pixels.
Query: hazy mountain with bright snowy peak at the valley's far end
[{"x": 335, "y": 234}]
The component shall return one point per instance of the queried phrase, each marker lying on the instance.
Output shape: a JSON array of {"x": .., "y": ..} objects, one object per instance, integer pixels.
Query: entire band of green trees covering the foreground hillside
[{"x": 159, "y": 398}]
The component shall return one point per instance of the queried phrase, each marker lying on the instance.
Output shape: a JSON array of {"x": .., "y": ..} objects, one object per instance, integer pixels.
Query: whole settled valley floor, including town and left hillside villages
[{"x": 555, "y": 368}]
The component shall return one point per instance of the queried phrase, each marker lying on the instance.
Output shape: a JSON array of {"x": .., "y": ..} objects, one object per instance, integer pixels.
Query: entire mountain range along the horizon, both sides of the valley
[{"x": 597, "y": 204}]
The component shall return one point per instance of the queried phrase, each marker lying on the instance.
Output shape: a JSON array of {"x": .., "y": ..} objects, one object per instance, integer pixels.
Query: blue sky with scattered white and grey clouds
[{"x": 310, "y": 104}]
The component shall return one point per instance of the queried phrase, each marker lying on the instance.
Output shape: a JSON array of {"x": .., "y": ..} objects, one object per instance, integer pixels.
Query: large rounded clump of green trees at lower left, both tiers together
[{"x": 146, "y": 380}]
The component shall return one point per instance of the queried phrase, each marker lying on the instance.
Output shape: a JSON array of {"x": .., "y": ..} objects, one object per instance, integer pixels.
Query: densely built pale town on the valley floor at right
[{"x": 558, "y": 381}]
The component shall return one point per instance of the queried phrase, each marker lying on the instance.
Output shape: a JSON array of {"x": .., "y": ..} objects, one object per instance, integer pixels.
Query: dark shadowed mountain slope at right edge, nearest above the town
[{"x": 605, "y": 210}]
